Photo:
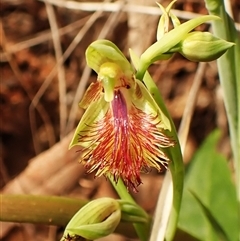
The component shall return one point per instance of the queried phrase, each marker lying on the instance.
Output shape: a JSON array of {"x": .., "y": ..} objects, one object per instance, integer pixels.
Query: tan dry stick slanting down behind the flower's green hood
[{"x": 110, "y": 24}]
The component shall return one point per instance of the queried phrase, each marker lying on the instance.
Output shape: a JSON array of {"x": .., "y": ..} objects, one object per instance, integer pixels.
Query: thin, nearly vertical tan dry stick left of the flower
[{"x": 60, "y": 68}]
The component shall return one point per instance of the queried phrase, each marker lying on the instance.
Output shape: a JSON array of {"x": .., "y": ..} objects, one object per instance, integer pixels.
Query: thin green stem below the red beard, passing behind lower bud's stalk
[{"x": 142, "y": 229}]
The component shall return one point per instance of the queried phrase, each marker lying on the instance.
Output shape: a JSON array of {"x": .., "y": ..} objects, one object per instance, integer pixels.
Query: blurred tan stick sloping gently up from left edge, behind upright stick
[{"x": 42, "y": 37}]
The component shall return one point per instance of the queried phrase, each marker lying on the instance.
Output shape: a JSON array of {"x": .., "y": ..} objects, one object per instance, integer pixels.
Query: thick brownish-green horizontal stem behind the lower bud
[{"x": 48, "y": 210}]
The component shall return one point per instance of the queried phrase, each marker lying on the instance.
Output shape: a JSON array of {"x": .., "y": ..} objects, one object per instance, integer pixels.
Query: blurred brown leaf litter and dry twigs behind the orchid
[{"x": 44, "y": 75}]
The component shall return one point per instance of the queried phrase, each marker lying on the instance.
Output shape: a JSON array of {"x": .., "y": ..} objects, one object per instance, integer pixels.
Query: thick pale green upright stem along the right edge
[{"x": 229, "y": 74}]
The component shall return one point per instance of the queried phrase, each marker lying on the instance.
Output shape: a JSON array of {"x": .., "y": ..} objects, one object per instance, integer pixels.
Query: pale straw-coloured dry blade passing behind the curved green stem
[{"x": 165, "y": 196}]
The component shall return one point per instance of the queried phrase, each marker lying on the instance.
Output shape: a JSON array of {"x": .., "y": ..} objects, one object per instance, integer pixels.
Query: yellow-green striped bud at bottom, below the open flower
[{"x": 96, "y": 219}]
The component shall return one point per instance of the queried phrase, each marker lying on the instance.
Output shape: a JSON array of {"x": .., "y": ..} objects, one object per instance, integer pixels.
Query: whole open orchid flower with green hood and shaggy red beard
[{"x": 122, "y": 131}]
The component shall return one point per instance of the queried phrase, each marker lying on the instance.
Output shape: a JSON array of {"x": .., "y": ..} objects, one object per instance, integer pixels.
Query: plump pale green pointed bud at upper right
[{"x": 203, "y": 47}]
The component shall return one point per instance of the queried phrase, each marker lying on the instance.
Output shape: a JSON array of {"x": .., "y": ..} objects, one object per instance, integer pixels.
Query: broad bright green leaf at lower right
[{"x": 209, "y": 177}]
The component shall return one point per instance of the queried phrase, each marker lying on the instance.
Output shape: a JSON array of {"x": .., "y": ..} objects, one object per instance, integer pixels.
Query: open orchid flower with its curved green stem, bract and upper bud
[{"x": 126, "y": 128}]
